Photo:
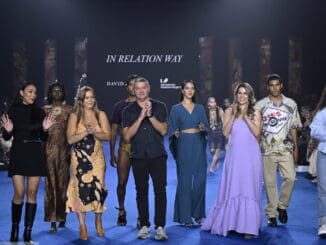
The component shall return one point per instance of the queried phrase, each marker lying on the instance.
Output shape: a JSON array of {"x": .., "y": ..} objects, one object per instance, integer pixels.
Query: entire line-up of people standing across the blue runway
[{"x": 65, "y": 145}]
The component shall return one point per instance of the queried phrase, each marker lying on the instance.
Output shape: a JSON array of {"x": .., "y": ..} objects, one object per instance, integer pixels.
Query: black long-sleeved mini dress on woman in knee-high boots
[{"x": 27, "y": 154}]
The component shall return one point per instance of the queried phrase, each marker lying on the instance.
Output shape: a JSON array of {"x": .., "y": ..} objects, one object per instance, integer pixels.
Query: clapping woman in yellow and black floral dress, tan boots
[{"x": 87, "y": 127}]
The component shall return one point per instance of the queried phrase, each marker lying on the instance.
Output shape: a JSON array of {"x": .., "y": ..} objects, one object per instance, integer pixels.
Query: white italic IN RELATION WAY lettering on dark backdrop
[{"x": 144, "y": 58}]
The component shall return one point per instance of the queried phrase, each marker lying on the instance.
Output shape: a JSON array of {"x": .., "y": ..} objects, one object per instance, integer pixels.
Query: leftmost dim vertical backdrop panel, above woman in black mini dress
[{"x": 20, "y": 61}]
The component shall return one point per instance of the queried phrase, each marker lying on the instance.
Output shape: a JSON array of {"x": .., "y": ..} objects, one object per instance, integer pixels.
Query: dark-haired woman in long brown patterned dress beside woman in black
[{"x": 57, "y": 157}]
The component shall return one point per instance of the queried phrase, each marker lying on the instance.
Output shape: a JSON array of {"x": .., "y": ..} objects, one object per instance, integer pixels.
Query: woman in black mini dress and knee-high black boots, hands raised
[{"x": 27, "y": 123}]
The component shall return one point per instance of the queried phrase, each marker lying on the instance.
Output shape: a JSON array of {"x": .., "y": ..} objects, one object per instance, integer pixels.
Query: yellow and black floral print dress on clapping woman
[{"x": 86, "y": 189}]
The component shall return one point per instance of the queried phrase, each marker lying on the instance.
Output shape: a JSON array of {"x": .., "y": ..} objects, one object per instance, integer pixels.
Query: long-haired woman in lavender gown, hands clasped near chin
[{"x": 238, "y": 203}]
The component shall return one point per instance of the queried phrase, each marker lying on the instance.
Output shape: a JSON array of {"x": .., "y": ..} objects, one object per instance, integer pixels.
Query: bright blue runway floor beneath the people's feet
[{"x": 300, "y": 229}]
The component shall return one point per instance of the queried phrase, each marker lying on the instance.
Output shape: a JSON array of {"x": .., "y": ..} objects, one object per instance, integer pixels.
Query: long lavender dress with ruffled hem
[{"x": 238, "y": 203}]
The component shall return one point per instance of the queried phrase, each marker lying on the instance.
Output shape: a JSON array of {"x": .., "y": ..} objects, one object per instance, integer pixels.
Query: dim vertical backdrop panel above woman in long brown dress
[{"x": 50, "y": 64}]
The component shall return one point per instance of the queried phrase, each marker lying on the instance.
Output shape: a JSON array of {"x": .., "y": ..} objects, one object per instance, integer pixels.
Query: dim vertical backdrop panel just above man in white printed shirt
[{"x": 265, "y": 65}]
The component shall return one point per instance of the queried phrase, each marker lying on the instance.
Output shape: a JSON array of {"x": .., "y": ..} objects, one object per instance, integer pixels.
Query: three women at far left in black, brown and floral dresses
[{"x": 75, "y": 176}]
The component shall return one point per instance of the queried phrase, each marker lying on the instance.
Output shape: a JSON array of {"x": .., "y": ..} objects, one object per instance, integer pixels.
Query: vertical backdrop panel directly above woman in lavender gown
[{"x": 235, "y": 63}]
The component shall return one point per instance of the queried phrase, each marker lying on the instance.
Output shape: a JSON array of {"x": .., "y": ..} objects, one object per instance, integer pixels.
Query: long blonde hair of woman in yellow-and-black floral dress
[{"x": 79, "y": 108}]
